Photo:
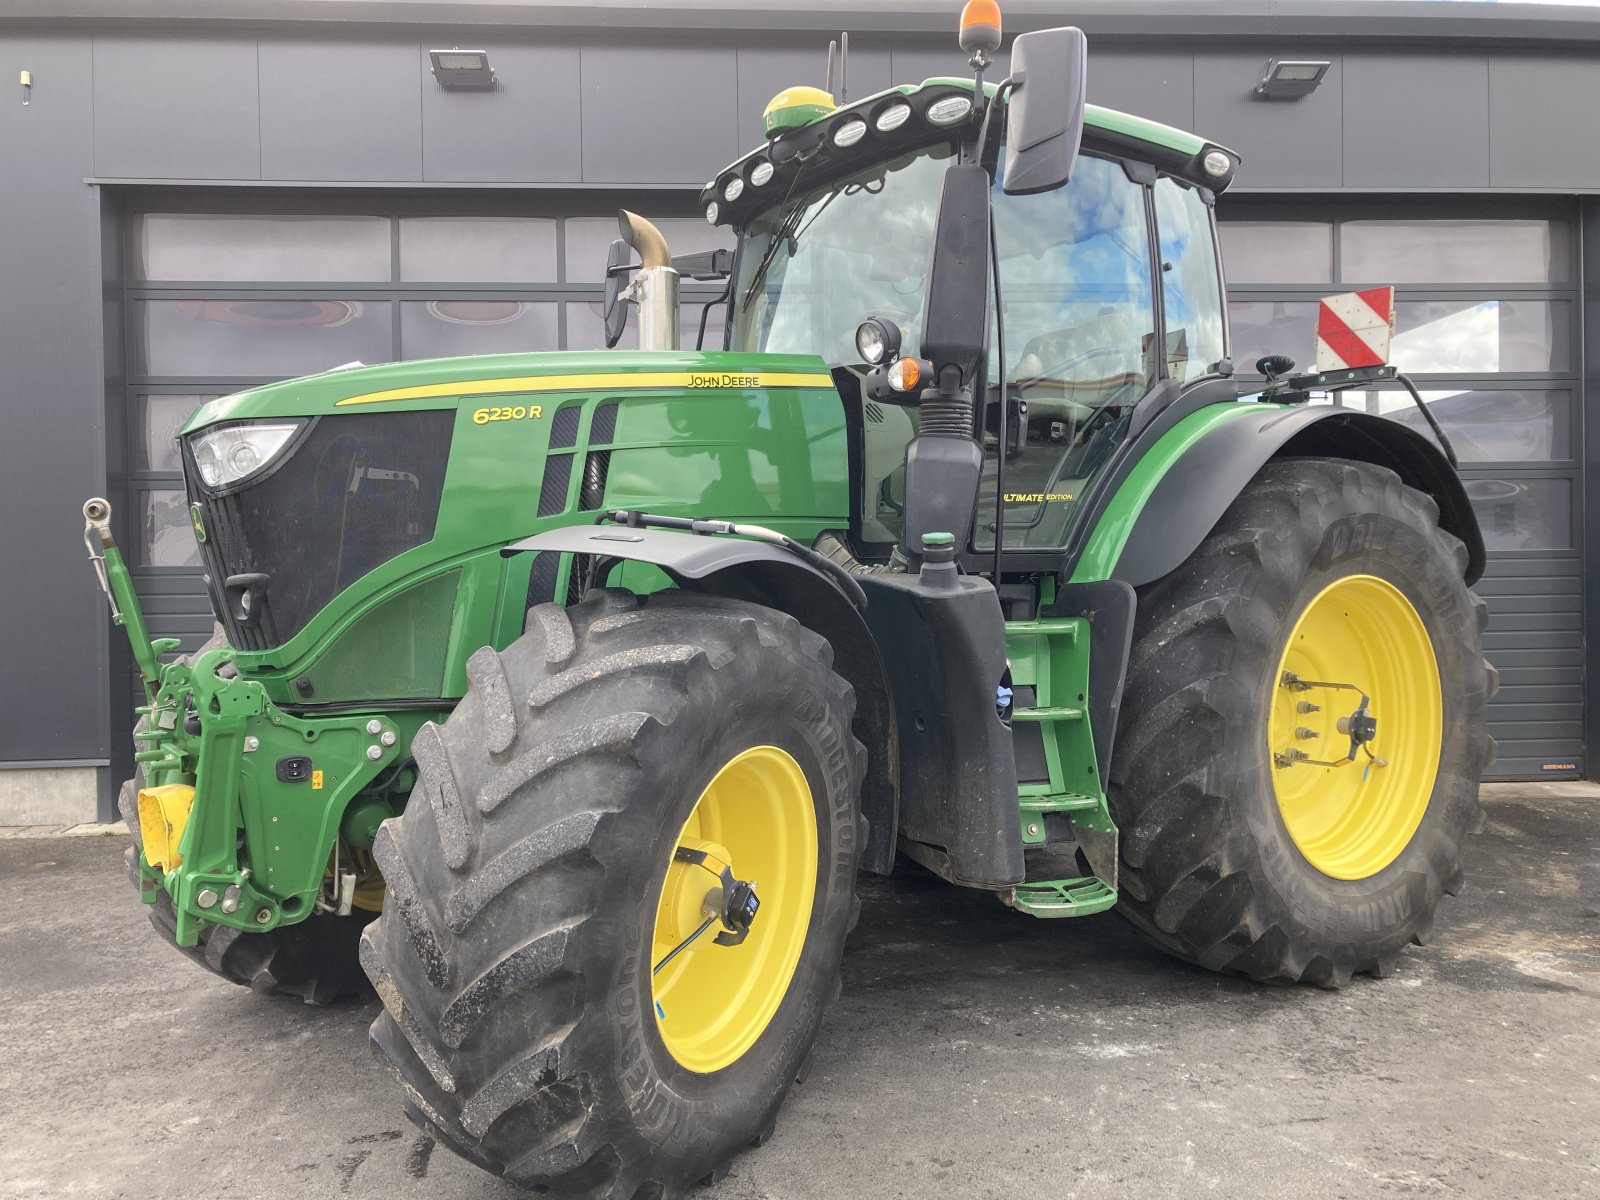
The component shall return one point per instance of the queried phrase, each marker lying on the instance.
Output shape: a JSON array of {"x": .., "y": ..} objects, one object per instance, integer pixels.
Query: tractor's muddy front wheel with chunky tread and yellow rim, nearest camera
[{"x": 535, "y": 886}]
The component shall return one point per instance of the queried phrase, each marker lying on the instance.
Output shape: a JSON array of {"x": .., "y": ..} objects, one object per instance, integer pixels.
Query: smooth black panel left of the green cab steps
[{"x": 945, "y": 650}]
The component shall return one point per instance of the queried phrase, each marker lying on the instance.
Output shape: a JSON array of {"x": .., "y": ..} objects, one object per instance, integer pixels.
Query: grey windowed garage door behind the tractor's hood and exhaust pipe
[{"x": 223, "y": 294}]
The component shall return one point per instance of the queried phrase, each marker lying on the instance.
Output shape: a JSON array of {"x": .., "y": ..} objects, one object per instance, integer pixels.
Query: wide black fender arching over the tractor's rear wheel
[{"x": 1199, "y": 489}]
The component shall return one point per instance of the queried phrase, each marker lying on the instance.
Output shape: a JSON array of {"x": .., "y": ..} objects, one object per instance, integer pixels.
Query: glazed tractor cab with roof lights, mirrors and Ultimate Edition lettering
[{"x": 1070, "y": 303}]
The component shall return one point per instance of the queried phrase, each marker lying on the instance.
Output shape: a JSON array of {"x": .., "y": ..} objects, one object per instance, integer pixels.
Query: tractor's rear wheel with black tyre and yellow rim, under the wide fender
[{"x": 1210, "y": 868}]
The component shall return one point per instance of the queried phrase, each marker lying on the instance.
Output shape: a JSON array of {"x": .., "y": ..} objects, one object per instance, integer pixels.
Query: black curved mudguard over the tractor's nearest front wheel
[{"x": 772, "y": 577}]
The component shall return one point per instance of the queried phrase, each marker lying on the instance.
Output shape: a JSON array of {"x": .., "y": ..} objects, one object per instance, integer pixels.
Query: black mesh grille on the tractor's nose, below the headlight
[{"x": 351, "y": 495}]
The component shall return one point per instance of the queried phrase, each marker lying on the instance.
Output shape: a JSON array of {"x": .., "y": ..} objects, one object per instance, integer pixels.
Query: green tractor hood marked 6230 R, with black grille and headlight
[{"x": 343, "y": 513}]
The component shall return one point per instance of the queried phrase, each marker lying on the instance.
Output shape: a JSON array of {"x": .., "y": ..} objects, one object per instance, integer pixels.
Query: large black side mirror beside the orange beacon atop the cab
[{"x": 1044, "y": 121}]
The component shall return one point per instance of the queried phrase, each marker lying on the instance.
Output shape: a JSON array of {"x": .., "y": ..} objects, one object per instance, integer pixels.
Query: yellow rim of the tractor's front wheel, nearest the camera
[{"x": 758, "y": 817}]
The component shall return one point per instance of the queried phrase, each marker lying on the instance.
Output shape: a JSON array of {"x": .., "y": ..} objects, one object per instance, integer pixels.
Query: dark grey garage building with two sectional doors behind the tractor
[{"x": 199, "y": 199}]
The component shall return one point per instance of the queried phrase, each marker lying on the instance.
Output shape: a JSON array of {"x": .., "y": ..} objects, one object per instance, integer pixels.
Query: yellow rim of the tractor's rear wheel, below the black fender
[{"x": 1353, "y": 820}]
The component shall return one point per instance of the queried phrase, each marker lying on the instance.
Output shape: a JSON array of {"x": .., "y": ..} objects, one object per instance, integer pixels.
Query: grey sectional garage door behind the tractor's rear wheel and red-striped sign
[{"x": 1487, "y": 324}]
